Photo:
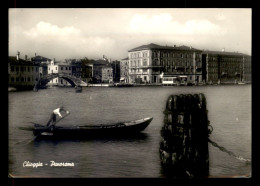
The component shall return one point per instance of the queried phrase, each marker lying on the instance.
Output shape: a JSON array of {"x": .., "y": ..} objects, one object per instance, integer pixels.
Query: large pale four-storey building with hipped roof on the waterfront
[{"x": 151, "y": 63}]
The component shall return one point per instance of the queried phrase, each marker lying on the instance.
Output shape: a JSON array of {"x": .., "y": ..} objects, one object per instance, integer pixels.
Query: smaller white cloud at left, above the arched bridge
[{"x": 47, "y": 29}]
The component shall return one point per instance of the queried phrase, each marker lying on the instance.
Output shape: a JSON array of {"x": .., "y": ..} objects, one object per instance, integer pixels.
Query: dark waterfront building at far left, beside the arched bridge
[{"x": 22, "y": 74}]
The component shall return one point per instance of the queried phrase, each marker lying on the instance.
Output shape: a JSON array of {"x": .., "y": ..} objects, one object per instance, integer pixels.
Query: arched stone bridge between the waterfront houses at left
[{"x": 74, "y": 81}]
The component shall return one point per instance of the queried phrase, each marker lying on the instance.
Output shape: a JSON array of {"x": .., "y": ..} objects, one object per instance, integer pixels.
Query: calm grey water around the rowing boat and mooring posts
[{"x": 229, "y": 113}]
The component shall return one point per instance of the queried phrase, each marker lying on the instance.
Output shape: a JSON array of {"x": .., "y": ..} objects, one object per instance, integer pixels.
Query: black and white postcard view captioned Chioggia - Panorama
[{"x": 129, "y": 93}]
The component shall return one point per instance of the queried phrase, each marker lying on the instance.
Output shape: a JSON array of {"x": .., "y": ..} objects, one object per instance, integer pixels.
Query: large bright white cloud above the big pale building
[{"x": 165, "y": 24}]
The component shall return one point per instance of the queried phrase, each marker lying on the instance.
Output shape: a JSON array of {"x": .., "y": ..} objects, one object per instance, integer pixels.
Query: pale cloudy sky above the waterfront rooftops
[{"x": 78, "y": 33}]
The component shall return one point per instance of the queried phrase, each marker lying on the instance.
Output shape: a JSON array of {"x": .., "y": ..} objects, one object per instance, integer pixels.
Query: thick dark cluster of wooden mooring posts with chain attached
[{"x": 184, "y": 145}]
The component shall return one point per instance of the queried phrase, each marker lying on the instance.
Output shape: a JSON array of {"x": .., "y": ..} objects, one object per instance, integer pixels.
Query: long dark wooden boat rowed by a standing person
[{"x": 121, "y": 128}]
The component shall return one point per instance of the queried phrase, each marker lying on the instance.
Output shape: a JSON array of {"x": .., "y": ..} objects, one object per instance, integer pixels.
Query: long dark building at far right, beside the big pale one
[{"x": 226, "y": 67}]
